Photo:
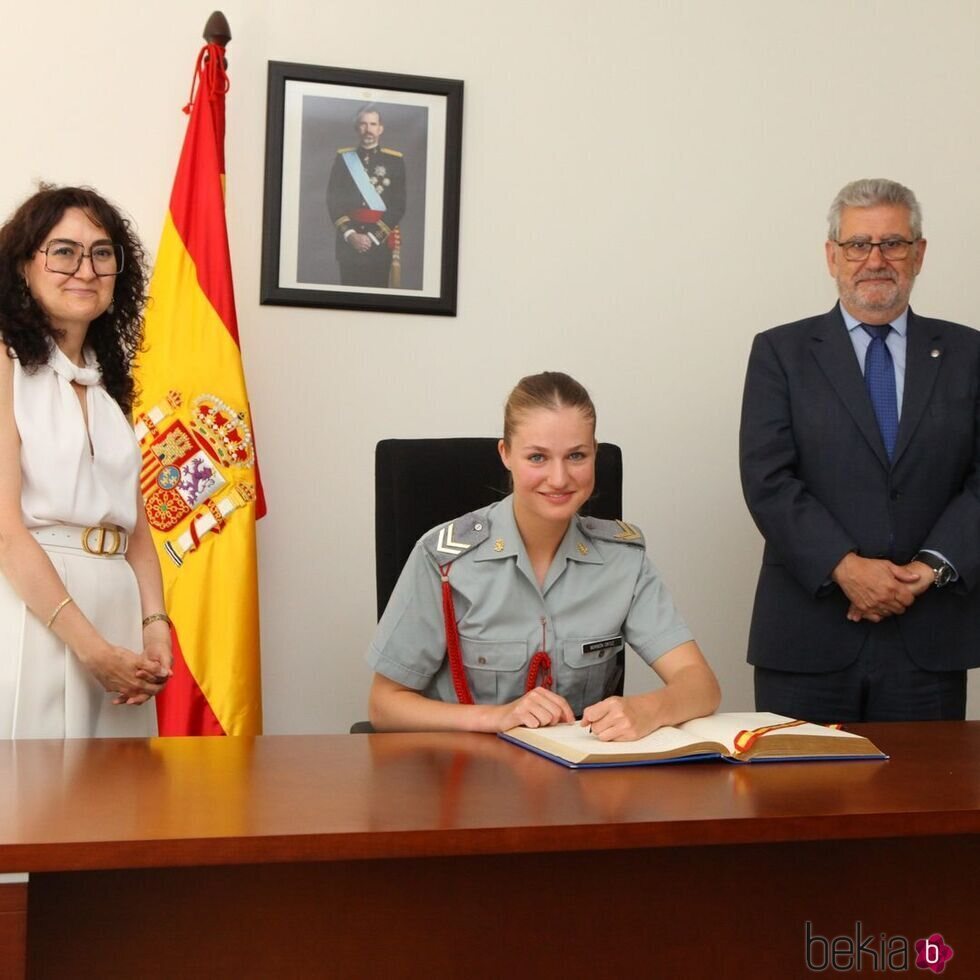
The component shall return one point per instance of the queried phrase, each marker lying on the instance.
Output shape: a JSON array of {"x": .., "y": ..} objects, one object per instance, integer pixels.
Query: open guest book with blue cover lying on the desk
[{"x": 736, "y": 736}]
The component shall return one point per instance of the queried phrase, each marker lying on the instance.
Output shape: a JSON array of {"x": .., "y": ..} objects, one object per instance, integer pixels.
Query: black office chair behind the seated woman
[{"x": 420, "y": 483}]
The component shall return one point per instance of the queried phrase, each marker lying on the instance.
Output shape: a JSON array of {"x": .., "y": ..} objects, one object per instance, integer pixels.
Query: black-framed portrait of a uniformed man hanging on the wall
[{"x": 312, "y": 115}]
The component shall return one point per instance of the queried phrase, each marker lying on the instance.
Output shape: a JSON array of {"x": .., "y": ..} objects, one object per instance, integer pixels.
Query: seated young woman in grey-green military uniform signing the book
[{"x": 514, "y": 614}]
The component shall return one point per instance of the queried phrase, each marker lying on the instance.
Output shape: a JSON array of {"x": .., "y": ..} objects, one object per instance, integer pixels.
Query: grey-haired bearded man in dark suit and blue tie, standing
[{"x": 859, "y": 450}]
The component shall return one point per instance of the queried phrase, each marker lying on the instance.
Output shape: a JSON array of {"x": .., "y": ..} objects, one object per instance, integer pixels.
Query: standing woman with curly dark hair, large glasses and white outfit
[{"x": 78, "y": 570}]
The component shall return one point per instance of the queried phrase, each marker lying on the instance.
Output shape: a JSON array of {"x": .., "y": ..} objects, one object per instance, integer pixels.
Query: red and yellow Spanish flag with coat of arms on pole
[{"x": 200, "y": 483}]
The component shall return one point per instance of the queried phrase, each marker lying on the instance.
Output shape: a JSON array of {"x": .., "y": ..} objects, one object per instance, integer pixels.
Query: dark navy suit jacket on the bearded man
[{"x": 818, "y": 483}]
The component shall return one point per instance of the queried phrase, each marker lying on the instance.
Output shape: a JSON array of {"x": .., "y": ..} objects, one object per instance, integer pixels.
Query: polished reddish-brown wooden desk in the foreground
[{"x": 461, "y": 855}]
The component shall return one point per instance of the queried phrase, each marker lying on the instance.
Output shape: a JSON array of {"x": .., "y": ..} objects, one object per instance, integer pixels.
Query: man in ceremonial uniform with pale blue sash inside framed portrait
[{"x": 366, "y": 201}]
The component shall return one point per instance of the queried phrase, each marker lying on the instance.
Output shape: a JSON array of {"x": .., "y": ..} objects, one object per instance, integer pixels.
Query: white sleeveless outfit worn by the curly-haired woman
[{"x": 85, "y": 478}]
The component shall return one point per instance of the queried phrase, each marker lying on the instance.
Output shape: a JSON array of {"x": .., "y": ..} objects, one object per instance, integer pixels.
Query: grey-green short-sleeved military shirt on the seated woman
[{"x": 599, "y": 593}]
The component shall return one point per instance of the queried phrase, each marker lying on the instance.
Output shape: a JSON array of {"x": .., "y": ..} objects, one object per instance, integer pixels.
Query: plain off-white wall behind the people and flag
[{"x": 644, "y": 188}]
